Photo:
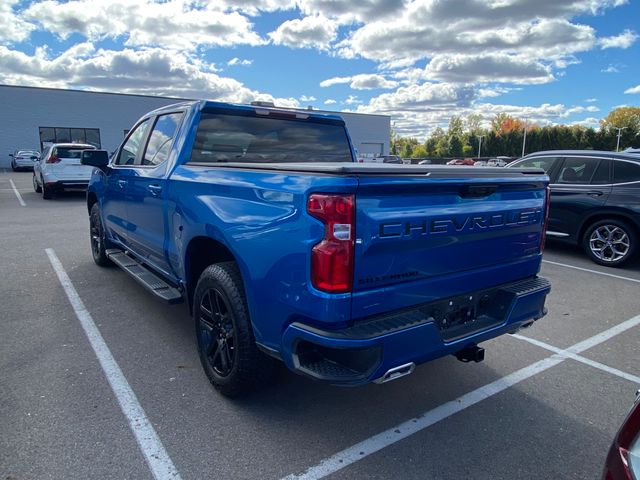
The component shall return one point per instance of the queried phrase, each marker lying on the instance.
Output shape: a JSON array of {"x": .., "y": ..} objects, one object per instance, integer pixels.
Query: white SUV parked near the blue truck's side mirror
[{"x": 60, "y": 169}]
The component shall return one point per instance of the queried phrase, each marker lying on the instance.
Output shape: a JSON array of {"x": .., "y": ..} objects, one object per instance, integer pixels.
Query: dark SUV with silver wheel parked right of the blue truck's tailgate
[{"x": 595, "y": 200}]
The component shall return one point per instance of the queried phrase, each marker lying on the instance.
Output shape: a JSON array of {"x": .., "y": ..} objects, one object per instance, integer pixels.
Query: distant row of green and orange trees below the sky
[{"x": 506, "y": 136}]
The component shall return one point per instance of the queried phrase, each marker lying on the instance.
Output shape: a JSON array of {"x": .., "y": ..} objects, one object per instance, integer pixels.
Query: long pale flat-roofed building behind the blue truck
[{"x": 30, "y": 117}]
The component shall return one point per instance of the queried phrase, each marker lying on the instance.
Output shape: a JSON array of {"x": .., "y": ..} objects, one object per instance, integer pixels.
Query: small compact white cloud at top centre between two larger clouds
[{"x": 309, "y": 32}]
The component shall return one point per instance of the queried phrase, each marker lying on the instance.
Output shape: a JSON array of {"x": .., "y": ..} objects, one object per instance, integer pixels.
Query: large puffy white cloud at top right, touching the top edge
[{"x": 539, "y": 30}]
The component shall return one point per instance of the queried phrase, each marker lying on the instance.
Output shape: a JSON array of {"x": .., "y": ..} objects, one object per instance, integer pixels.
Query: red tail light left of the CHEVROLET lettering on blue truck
[{"x": 332, "y": 258}]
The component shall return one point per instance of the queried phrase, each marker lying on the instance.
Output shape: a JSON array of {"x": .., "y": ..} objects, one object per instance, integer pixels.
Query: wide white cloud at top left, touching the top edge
[{"x": 172, "y": 24}]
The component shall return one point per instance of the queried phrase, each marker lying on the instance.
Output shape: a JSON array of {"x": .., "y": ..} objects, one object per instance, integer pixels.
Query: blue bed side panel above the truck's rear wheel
[{"x": 261, "y": 218}]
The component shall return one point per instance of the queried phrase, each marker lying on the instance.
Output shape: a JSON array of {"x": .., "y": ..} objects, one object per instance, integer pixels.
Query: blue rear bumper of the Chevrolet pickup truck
[{"x": 370, "y": 347}]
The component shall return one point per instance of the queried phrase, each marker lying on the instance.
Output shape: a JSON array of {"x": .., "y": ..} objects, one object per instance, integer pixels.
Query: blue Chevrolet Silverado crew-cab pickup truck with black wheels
[{"x": 285, "y": 249}]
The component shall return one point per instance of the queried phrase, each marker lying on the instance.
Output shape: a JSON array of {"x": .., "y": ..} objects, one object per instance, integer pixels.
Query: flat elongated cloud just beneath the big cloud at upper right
[{"x": 498, "y": 68}]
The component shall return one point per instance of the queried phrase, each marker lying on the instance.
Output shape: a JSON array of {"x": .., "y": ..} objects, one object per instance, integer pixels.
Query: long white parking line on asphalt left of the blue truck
[{"x": 154, "y": 452}]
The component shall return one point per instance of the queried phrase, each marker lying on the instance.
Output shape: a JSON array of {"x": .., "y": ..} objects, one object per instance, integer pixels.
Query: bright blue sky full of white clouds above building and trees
[{"x": 420, "y": 61}]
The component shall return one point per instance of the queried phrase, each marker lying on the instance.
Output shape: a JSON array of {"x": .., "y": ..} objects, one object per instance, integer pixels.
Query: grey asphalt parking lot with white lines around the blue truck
[{"x": 545, "y": 403}]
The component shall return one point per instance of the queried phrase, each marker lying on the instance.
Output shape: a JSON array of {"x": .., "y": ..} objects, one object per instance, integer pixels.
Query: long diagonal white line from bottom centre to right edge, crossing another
[{"x": 373, "y": 444}]
